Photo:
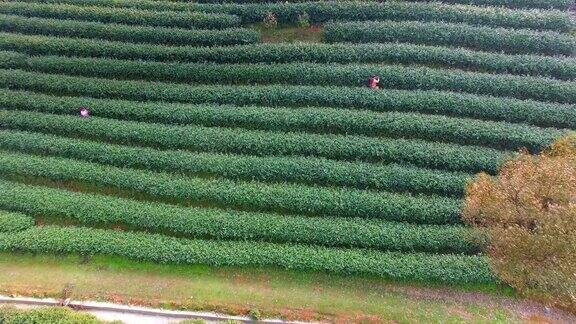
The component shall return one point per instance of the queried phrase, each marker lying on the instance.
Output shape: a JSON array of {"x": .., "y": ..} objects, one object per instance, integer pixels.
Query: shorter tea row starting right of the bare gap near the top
[{"x": 436, "y": 33}]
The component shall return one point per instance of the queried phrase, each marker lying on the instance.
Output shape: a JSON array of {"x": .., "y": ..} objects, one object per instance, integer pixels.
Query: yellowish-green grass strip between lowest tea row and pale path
[{"x": 286, "y": 294}]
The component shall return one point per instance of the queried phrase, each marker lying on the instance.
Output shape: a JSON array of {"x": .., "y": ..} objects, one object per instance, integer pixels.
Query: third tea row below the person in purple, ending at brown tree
[{"x": 252, "y": 196}]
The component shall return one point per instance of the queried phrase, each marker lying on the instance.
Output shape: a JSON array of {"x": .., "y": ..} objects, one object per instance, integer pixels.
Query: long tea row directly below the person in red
[{"x": 434, "y": 102}]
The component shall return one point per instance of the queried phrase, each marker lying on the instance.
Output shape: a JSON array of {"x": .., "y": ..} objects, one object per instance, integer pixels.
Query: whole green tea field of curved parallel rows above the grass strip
[{"x": 206, "y": 145}]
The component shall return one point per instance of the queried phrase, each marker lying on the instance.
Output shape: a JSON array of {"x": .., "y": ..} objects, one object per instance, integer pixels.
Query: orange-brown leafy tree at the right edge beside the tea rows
[{"x": 529, "y": 211}]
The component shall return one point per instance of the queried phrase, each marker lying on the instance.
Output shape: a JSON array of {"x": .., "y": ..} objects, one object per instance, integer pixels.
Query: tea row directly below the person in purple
[{"x": 262, "y": 143}]
